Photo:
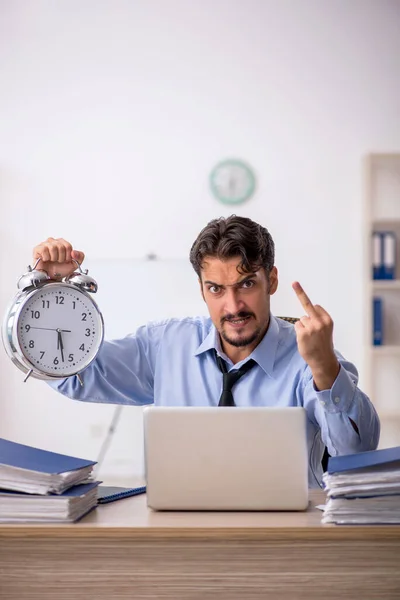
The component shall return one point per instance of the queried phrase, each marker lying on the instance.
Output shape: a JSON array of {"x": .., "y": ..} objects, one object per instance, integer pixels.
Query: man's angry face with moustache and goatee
[{"x": 238, "y": 303}]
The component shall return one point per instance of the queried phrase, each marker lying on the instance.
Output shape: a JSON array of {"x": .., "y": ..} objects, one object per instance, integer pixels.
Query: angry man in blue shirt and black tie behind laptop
[{"x": 179, "y": 361}]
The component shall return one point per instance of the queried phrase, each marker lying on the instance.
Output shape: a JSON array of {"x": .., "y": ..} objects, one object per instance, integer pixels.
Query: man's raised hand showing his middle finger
[{"x": 314, "y": 332}]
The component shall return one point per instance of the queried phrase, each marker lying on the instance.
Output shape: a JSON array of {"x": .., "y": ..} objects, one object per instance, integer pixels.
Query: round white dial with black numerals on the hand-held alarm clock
[{"x": 59, "y": 330}]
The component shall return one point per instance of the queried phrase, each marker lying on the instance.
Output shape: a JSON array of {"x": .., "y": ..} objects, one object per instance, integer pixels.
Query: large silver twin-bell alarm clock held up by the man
[{"x": 53, "y": 329}]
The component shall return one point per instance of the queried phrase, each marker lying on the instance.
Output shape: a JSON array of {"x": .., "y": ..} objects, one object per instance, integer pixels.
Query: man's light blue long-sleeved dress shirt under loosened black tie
[{"x": 172, "y": 363}]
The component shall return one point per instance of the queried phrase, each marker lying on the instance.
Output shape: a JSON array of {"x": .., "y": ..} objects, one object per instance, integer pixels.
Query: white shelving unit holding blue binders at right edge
[{"x": 382, "y": 363}]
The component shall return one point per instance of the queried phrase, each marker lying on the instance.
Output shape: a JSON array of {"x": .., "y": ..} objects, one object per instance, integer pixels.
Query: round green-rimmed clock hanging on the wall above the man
[{"x": 232, "y": 181}]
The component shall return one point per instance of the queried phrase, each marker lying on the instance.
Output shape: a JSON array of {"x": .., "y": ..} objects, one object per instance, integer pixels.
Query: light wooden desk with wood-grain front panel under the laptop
[{"x": 124, "y": 550}]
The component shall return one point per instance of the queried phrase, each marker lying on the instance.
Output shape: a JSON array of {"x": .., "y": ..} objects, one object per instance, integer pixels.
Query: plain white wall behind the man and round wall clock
[{"x": 112, "y": 114}]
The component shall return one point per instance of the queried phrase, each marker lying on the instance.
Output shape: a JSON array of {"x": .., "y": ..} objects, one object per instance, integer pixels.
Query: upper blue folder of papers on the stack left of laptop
[{"x": 37, "y": 471}]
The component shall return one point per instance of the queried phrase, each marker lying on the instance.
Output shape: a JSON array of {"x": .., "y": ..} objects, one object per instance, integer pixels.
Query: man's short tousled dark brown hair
[{"x": 226, "y": 238}]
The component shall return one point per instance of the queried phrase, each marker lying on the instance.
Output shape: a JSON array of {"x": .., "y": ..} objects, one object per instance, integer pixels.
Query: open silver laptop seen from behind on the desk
[{"x": 227, "y": 458}]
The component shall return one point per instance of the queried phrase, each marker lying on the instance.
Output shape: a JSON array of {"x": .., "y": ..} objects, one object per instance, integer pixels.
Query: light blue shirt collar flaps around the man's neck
[{"x": 264, "y": 354}]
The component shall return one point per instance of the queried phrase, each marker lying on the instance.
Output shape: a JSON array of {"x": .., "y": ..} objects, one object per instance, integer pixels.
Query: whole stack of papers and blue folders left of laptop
[{"x": 41, "y": 486}]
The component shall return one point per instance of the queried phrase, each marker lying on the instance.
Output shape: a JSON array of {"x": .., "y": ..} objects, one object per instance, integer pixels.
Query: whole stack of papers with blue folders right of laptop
[{"x": 363, "y": 488}]
